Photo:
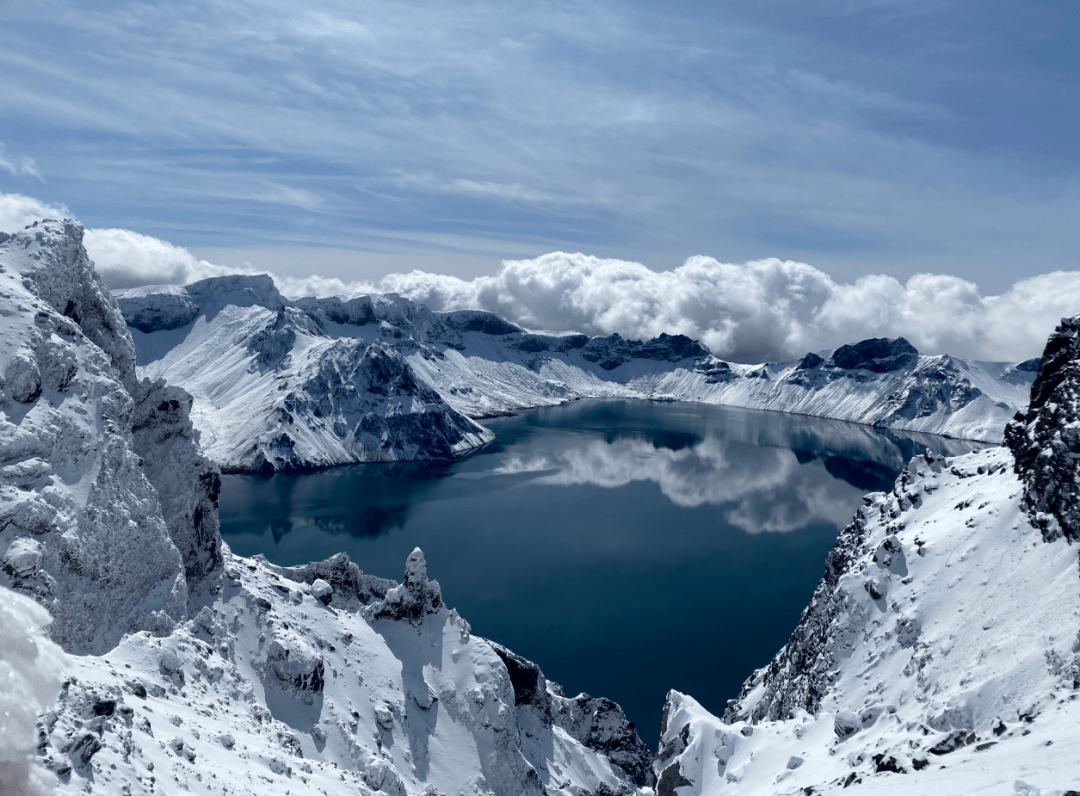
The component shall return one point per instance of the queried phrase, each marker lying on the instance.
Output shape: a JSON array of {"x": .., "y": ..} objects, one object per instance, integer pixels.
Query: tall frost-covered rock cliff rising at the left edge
[{"x": 83, "y": 528}]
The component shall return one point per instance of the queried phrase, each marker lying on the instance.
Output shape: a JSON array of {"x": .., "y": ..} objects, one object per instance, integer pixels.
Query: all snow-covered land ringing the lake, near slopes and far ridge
[{"x": 940, "y": 654}]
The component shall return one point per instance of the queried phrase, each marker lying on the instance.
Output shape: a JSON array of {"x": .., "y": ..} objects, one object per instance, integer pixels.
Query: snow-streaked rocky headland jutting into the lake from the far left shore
[{"x": 280, "y": 394}]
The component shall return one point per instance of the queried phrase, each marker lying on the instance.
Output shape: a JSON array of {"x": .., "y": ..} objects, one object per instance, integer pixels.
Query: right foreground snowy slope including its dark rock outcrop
[{"x": 941, "y": 651}]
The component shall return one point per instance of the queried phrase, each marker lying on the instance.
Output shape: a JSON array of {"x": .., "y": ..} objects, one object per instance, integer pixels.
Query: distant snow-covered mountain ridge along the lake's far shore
[{"x": 282, "y": 385}]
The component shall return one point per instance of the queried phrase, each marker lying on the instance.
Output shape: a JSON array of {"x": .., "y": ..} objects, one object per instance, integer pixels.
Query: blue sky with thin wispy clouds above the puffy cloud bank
[{"x": 355, "y": 140}]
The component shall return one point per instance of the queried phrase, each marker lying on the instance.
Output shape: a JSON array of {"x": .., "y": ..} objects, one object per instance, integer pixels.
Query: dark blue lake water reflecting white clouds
[{"x": 627, "y": 547}]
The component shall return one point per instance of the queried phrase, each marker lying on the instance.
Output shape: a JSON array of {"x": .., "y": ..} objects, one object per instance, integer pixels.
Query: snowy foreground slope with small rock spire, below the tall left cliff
[{"x": 320, "y": 680}]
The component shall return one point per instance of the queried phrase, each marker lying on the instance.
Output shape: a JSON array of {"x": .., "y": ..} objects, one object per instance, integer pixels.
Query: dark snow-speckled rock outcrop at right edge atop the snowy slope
[{"x": 1046, "y": 440}]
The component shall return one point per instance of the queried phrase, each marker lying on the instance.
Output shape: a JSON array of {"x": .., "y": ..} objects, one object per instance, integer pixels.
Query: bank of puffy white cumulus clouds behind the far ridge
[{"x": 766, "y": 309}]
